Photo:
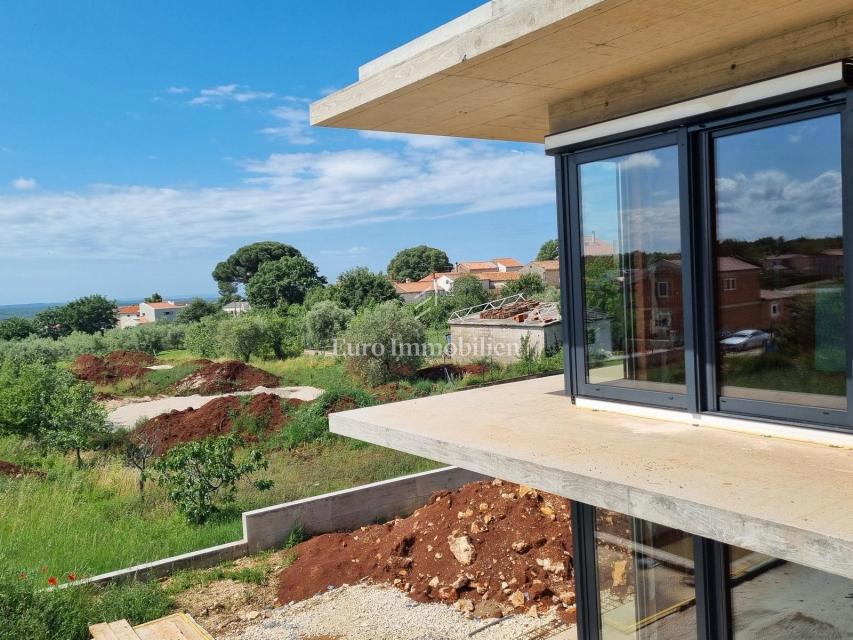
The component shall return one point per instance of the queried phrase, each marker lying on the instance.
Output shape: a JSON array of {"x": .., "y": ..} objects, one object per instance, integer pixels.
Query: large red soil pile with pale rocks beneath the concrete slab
[{"x": 488, "y": 548}]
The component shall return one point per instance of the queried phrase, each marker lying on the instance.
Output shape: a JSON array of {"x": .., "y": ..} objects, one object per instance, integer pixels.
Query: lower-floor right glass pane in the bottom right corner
[{"x": 775, "y": 599}]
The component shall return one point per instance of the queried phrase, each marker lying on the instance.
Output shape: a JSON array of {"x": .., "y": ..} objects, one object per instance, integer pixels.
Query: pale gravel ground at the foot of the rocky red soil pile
[{"x": 368, "y": 612}]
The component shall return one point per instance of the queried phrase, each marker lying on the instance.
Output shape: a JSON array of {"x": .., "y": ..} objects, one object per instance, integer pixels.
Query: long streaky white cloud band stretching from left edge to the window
[{"x": 281, "y": 195}]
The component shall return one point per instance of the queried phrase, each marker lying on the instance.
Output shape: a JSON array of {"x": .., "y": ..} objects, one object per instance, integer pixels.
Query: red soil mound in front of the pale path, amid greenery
[{"x": 212, "y": 419}]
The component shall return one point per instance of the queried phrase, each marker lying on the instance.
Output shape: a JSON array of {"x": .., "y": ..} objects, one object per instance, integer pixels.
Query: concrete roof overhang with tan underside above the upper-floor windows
[{"x": 525, "y": 69}]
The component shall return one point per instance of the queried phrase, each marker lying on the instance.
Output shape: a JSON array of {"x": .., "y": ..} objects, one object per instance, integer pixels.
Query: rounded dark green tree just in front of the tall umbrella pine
[{"x": 285, "y": 280}]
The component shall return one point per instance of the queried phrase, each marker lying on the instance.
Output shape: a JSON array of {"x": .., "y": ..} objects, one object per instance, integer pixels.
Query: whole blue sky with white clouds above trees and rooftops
[{"x": 141, "y": 142}]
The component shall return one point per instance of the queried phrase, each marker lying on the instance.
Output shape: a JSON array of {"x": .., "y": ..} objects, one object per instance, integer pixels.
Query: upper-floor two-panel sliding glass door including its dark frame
[{"x": 708, "y": 265}]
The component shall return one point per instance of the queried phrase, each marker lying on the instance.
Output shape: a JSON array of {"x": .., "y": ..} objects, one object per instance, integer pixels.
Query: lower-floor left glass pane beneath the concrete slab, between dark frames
[{"x": 645, "y": 577}]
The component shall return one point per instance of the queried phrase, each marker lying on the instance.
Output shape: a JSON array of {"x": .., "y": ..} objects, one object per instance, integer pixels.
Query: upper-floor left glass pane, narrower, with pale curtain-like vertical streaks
[{"x": 633, "y": 317}]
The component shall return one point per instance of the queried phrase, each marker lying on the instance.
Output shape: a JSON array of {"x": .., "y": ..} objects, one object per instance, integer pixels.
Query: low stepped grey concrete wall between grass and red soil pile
[{"x": 269, "y": 528}]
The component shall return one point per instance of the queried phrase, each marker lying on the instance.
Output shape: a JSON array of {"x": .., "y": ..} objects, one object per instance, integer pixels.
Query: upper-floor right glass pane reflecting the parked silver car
[{"x": 780, "y": 283}]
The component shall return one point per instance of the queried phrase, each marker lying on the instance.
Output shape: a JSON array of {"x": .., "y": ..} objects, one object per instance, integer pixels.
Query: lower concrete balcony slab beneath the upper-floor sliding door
[{"x": 787, "y": 498}]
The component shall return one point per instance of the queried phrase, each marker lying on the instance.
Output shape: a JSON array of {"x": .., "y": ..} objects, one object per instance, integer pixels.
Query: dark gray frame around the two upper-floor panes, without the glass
[{"x": 695, "y": 144}]
